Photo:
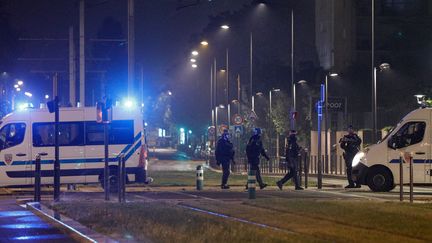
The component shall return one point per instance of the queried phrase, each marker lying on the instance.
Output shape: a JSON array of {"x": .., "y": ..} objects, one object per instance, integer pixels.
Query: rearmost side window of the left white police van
[{"x": 120, "y": 132}]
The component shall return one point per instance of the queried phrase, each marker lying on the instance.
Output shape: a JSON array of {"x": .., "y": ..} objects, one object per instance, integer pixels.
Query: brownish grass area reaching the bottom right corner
[{"x": 336, "y": 221}]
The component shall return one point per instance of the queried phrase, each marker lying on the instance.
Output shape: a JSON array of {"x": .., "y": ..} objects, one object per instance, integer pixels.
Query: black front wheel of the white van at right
[{"x": 380, "y": 179}]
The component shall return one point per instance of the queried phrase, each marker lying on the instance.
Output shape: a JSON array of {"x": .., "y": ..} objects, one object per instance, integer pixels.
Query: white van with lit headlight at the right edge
[{"x": 378, "y": 165}]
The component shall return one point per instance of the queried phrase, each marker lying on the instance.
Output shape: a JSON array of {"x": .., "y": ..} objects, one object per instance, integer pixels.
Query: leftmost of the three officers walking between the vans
[{"x": 224, "y": 155}]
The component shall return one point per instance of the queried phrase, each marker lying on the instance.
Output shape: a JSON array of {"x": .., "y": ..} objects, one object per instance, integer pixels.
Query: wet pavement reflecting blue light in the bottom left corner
[{"x": 20, "y": 225}]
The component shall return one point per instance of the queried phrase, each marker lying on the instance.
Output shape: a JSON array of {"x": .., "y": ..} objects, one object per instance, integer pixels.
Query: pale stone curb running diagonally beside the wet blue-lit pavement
[{"x": 64, "y": 223}]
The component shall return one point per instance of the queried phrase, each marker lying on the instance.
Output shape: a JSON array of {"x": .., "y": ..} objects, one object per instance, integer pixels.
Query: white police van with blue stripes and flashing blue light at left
[{"x": 25, "y": 133}]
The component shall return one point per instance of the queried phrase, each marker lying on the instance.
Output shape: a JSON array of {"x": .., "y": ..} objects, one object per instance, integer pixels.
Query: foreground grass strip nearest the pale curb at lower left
[{"x": 162, "y": 222}]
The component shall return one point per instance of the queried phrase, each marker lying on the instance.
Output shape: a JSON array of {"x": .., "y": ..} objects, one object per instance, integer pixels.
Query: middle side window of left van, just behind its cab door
[{"x": 70, "y": 134}]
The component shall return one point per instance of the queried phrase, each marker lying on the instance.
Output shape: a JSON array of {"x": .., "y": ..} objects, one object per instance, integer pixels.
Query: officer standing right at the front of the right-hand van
[{"x": 351, "y": 144}]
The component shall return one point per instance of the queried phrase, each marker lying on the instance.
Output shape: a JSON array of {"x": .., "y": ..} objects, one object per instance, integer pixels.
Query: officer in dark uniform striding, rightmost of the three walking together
[{"x": 291, "y": 153}]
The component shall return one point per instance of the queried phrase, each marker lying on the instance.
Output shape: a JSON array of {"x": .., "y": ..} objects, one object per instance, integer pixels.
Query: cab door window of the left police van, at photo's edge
[{"x": 12, "y": 135}]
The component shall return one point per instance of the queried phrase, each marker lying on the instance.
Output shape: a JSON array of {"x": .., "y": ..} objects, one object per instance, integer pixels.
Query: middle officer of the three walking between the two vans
[{"x": 254, "y": 149}]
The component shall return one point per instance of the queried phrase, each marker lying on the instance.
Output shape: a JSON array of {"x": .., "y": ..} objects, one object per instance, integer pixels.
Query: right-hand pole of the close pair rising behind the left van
[{"x": 82, "y": 53}]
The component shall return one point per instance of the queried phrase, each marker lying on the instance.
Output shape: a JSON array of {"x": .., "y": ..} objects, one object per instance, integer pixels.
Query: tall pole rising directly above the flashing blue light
[{"x": 131, "y": 47}]
